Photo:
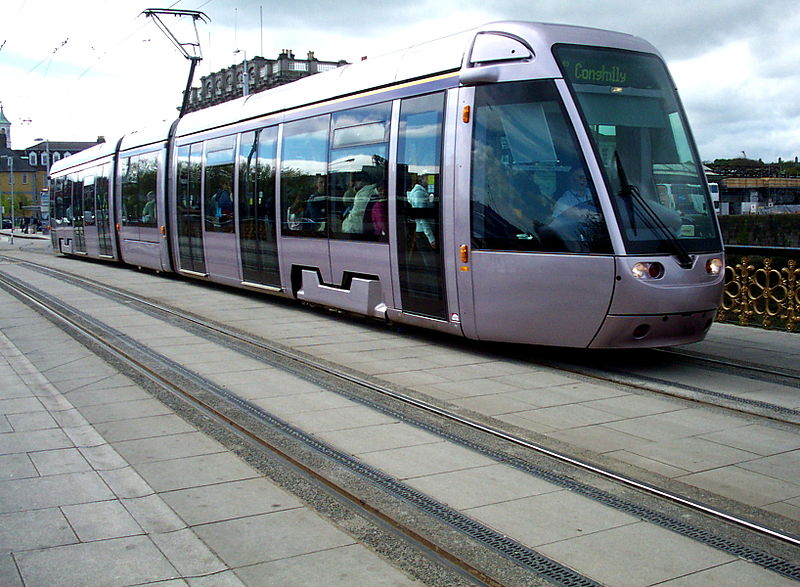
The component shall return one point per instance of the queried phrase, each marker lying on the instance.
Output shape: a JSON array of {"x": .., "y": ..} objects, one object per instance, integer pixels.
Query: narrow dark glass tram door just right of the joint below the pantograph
[{"x": 191, "y": 258}]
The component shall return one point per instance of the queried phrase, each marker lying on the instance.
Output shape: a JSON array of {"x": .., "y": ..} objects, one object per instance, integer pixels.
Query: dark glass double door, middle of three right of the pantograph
[{"x": 256, "y": 201}]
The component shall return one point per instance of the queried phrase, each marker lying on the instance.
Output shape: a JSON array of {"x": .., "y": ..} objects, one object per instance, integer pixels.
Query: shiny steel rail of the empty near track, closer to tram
[{"x": 581, "y": 464}]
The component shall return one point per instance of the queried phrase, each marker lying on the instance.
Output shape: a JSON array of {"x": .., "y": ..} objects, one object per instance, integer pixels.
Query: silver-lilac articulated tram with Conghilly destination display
[{"x": 519, "y": 182}]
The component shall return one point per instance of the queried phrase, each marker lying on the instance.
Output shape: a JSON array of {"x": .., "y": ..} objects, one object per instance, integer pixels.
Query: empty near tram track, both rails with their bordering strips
[{"x": 774, "y": 548}]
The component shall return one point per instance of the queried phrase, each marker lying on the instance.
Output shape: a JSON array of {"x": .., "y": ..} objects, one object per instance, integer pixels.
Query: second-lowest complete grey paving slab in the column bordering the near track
[{"x": 227, "y": 501}]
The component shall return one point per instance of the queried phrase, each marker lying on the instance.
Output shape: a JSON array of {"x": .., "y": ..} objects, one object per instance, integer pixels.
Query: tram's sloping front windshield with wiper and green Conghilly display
[{"x": 652, "y": 171}]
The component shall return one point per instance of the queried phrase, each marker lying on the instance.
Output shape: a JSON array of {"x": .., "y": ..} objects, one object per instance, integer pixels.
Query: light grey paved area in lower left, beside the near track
[{"x": 139, "y": 496}]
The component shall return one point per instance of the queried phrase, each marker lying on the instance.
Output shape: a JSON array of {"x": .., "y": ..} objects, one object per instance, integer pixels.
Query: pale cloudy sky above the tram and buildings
[{"x": 74, "y": 70}]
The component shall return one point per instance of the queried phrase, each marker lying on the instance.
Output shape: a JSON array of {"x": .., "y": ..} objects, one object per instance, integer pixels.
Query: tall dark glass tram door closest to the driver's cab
[{"x": 418, "y": 206}]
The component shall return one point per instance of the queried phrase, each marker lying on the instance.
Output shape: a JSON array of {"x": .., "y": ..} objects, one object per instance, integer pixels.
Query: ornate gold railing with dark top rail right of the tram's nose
[{"x": 762, "y": 288}]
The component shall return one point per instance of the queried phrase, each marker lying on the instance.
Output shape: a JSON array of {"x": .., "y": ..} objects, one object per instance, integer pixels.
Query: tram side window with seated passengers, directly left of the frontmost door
[{"x": 358, "y": 173}]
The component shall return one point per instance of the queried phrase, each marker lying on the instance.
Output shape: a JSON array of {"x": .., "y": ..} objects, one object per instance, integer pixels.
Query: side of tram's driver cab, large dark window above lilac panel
[{"x": 523, "y": 271}]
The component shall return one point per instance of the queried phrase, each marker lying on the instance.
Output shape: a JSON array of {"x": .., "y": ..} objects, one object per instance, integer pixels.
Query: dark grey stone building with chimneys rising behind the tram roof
[{"x": 262, "y": 74}]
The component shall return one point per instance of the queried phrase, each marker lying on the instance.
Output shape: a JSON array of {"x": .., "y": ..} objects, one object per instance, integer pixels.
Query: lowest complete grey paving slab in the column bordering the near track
[{"x": 278, "y": 535}]
